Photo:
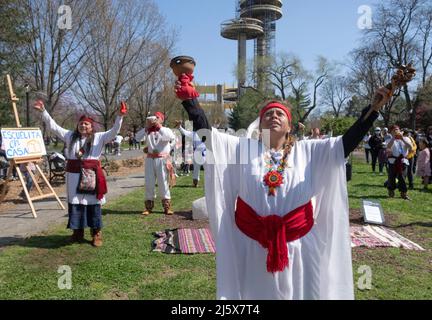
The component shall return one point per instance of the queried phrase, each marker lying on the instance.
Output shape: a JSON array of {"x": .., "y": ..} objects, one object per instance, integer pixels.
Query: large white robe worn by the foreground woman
[{"x": 320, "y": 264}]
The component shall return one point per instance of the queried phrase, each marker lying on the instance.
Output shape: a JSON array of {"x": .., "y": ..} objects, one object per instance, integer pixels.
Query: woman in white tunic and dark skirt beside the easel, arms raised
[{"x": 85, "y": 180}]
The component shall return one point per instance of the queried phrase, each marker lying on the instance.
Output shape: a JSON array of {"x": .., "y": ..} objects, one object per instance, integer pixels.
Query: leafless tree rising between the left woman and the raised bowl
[{"x": 128, "y": 36}]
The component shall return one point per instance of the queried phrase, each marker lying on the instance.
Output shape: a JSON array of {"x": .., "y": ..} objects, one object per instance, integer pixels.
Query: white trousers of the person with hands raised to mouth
[{"x": 156, "y": 169}]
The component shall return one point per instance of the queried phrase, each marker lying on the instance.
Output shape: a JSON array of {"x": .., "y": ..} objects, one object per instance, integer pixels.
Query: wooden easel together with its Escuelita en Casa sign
[{"x": 24, "y": 146}]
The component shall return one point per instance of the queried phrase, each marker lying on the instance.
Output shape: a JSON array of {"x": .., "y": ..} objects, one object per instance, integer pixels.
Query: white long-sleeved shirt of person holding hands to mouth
[{"x": 157, "y": 142}]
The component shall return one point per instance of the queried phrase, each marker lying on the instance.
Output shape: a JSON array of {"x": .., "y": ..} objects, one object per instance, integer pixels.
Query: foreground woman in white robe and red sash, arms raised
[{"x": 278, "y": 207}]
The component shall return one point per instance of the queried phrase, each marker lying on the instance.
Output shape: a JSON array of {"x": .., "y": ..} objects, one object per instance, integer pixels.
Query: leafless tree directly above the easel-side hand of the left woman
[{"x": 56, "y": 52}]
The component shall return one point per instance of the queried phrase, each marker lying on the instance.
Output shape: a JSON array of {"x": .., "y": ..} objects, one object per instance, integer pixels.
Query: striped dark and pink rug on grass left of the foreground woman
[{"x": 184, "y": 241}]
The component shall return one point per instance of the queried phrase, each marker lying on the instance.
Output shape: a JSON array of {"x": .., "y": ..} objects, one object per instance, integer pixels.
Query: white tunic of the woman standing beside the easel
[{"x": 72, "y": 179}]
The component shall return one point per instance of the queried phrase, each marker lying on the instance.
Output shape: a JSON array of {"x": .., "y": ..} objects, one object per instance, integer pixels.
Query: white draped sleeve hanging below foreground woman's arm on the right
[{"x": 331, "y": 212}]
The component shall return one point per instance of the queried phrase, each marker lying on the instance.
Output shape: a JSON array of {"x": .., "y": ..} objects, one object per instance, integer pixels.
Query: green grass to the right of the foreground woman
[{"x": 396, "y": 273}]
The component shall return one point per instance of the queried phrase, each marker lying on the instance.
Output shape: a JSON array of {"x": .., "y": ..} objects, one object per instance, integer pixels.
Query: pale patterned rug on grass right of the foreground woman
[{"x": 379, "y": 236}]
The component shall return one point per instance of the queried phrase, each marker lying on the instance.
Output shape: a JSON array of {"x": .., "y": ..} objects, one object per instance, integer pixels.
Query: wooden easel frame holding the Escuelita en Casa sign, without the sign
[{"x": 16, "y": 162}]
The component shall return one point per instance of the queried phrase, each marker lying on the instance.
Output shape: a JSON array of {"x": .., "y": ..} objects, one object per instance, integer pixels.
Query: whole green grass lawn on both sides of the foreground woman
[{"x": 125, "y": 267}]
